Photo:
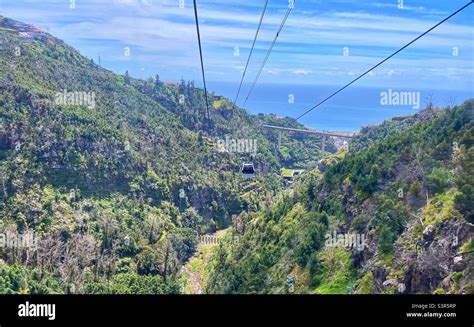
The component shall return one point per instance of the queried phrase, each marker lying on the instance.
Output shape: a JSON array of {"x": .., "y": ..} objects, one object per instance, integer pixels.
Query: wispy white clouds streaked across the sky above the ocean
[{"x": 163, "y": 35}]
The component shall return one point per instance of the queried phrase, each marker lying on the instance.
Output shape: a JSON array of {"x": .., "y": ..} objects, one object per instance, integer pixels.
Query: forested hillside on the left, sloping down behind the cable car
[{"x": 117, "y": 177}]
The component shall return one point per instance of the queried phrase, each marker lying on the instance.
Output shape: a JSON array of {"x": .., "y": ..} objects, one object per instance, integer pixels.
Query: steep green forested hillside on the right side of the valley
[{"x": 407, "y": 189}]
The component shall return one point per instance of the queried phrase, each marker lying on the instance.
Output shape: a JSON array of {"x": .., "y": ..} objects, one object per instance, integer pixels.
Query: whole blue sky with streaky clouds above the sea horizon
[{"x": 162, "y": 39}]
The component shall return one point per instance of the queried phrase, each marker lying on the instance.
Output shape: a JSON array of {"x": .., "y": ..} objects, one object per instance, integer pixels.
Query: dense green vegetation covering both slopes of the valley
[{"x": 118, "y": 190}]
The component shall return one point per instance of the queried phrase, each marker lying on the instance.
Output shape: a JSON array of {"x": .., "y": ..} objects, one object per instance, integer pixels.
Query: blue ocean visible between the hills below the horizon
[{"x": 350, "y": 110}]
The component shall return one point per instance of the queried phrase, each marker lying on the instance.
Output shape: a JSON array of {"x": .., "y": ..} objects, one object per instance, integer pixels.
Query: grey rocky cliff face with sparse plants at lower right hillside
[{"x": 436, "y": 262}]
